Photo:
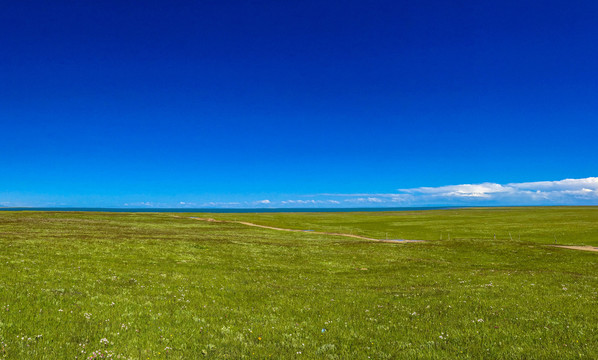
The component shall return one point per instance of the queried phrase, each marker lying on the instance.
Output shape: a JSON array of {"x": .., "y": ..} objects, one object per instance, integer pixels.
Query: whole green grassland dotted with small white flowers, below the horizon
[{"x": 155, "y": 286}]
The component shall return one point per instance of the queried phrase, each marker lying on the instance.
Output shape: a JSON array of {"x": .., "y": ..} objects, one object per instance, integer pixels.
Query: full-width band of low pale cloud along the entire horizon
[{"x": 562, "y": 192}]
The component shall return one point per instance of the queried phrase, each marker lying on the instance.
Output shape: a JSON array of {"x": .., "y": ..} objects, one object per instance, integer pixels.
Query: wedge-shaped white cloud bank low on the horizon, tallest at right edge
[{"x": 561, "y": 192}]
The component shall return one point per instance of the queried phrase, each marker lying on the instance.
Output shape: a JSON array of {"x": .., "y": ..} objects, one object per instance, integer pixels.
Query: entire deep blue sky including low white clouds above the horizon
[{"x": 307, "y": 103}]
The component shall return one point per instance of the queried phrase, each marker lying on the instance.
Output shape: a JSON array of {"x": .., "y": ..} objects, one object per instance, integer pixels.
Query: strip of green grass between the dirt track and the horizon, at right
[{"x": 545, "y": 225}]
